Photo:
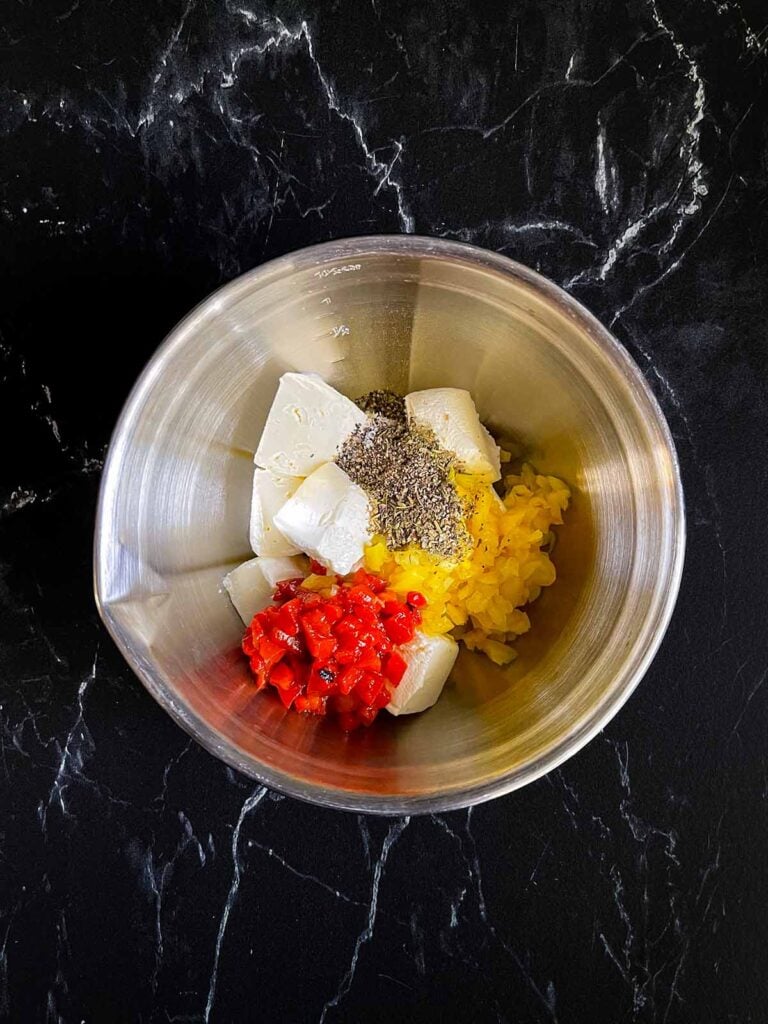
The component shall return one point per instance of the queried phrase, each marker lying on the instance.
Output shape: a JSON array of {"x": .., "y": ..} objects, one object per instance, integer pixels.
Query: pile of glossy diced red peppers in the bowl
[{"x": 333, "y": 654}]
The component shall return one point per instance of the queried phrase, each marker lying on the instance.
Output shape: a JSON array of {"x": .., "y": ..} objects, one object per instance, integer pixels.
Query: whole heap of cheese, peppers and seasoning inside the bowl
[{"x": 386, "y": 536}]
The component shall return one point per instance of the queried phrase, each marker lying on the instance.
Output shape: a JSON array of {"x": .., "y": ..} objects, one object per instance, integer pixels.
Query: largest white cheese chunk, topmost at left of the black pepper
[{"x": 307, "y": 424}]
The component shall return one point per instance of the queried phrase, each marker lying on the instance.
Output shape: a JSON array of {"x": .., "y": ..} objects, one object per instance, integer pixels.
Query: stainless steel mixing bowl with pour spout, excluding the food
[{"x": 405, "y": 314}]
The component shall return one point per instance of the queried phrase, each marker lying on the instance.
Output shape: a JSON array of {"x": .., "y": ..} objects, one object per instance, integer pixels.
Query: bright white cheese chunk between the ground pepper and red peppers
[{"x": 328, "y": 518}]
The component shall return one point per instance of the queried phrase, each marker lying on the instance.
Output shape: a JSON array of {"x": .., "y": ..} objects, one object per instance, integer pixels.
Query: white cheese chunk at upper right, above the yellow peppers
[{"x": 451, "y": 413}]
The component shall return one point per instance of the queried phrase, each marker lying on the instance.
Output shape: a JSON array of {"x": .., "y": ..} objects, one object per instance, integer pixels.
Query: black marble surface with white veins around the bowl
[{"x": 152, "y": 152}]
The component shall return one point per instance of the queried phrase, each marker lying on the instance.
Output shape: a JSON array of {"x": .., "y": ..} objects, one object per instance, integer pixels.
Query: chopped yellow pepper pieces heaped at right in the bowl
[{"x": 479, "y": 596}]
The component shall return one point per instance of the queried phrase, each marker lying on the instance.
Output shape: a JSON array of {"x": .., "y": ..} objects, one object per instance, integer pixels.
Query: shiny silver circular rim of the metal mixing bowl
[{"x": 584, "y": 731}]
